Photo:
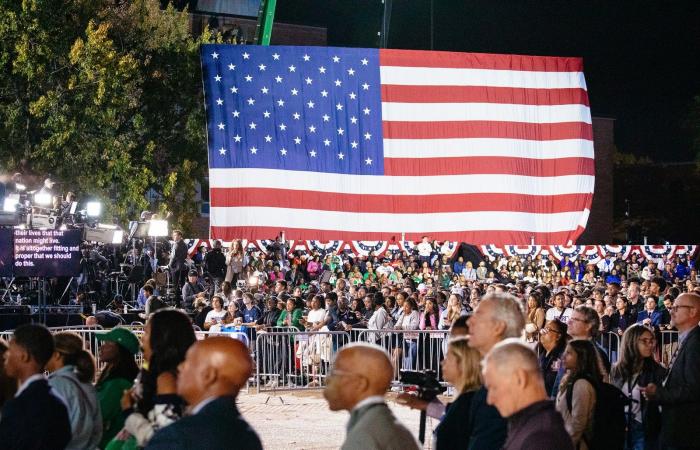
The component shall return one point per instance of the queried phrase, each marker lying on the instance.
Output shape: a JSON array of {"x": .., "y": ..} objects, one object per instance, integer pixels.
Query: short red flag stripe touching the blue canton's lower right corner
[{"x": 488, "y": 165}]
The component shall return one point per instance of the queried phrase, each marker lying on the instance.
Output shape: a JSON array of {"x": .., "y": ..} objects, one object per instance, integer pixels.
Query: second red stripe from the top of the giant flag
[{"x": 483, "y": 94}]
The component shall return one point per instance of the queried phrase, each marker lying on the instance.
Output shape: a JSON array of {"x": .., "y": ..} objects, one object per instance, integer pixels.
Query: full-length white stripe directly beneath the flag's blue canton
[{"x": 392, "y": 185}]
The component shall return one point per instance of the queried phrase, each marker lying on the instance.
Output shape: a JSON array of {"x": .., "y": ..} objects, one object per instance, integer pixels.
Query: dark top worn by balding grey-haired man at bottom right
[{"x": 538, "y": 426}]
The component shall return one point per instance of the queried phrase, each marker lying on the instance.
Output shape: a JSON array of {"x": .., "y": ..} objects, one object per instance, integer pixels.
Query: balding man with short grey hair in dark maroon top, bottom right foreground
[{"x": 516, "y": 388}]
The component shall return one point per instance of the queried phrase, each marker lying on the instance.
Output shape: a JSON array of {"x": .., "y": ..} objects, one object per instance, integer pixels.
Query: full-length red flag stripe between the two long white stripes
[{"x": 406, "y": 204}]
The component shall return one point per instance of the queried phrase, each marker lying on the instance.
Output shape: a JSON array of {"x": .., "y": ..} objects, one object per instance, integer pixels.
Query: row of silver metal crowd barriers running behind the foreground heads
[{"x": 288, "y": 359}]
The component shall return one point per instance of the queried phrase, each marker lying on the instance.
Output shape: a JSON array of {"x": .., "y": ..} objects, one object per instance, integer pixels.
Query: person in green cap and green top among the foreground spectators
[{"x": 117, "y": 350}]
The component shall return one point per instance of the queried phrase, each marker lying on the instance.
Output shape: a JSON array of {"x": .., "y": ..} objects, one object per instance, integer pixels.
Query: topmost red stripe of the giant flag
[{"x": 418, "y": 58}]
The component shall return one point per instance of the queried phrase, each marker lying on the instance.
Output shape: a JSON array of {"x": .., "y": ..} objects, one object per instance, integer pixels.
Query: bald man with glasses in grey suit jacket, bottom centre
[{"x": 361, "y": 376}]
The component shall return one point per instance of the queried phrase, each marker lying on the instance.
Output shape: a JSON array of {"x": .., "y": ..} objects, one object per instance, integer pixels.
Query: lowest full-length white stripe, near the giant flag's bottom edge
[{"x": 384, "y": 222}]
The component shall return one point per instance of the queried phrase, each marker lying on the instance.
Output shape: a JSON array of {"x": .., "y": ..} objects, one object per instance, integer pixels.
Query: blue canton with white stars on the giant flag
[{"x": 294, "y": 108}]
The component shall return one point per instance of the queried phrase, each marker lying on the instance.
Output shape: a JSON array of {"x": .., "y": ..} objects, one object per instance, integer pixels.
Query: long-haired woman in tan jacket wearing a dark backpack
[{"x": 577, "y": 396}]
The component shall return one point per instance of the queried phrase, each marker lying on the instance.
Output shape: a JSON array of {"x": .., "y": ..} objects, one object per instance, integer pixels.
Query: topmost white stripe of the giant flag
[{"x": 433, "y": 76}]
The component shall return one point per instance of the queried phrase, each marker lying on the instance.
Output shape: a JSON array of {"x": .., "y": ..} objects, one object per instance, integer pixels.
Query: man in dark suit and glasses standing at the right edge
[{"x": 679, "y": 394}]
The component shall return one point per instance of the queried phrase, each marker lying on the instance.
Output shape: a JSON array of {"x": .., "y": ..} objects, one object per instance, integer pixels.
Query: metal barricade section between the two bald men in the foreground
[{"x": 295, "y": 360}]
